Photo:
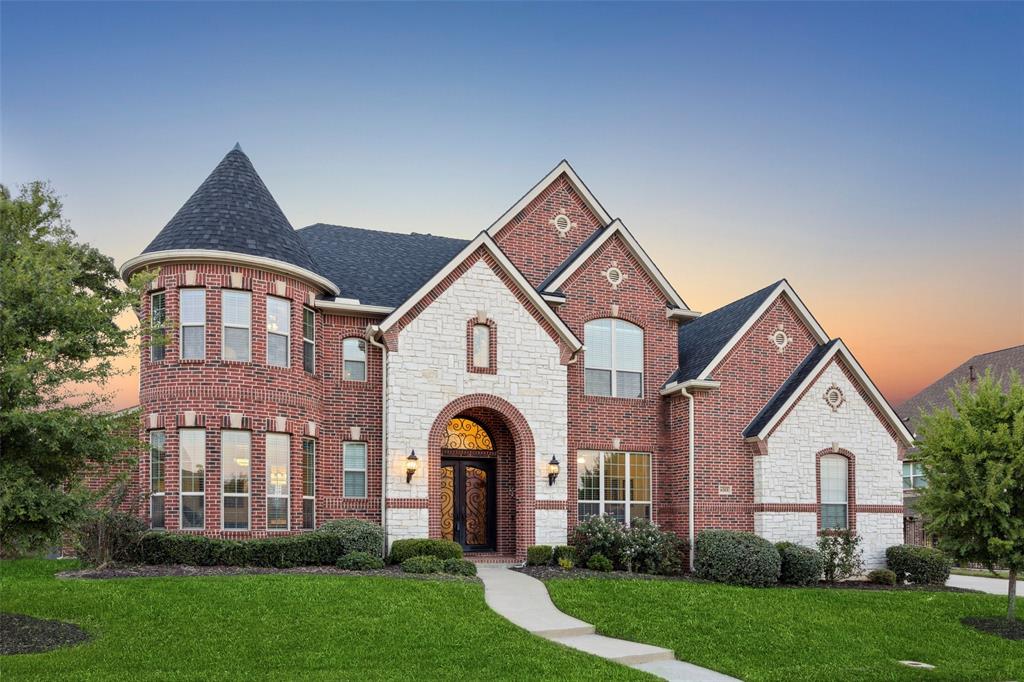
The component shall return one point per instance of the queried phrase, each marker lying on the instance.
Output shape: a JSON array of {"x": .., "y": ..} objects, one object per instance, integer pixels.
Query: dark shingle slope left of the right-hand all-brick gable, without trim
[{"x": 702, "y": 339}]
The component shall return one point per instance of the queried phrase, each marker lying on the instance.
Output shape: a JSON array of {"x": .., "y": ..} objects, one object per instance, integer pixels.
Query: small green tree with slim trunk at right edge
[{"x": 973, "y": 454}]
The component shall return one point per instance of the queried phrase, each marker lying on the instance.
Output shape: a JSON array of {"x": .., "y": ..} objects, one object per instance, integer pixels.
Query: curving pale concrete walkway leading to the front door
[{"x": 525, "y": 602}]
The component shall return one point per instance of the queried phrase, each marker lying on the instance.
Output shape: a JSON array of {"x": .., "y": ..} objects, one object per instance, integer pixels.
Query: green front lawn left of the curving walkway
[{"x": 281, "y": 627}]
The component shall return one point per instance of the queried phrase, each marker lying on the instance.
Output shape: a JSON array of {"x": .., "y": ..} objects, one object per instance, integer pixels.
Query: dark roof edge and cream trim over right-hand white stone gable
[{"x": 795, "y": 388}]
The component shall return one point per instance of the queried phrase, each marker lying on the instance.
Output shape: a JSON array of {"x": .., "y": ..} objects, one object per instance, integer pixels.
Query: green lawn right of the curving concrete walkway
[{"x": 801, "y": 634}]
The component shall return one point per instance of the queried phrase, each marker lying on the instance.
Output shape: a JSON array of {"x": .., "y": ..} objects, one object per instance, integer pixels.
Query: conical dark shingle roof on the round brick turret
[{"x": 234, "y": 211}]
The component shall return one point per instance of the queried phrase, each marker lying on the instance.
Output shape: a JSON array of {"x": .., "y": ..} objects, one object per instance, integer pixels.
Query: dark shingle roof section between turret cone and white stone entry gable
[{"x": 378, "y": 268}]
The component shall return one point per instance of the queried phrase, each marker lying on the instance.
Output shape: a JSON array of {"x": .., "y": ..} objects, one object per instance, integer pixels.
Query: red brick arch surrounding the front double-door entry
[{"x": 516, "y": 452}]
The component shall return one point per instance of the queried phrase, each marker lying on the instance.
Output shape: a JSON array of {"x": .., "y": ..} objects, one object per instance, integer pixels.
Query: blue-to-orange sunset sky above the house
[{"x": 872, "y": 154}]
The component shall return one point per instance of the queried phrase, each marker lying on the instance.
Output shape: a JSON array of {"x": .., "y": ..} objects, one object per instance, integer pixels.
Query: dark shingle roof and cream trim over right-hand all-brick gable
[{"x": 707, "y": 340}]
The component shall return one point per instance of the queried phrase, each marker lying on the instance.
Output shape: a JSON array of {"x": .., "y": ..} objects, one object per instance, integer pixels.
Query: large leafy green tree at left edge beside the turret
[{"x": 59, "y": 340}]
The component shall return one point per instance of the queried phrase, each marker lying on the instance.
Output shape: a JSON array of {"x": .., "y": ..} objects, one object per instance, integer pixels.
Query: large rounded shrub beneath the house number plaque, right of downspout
[{"x": 738, "y": 559}]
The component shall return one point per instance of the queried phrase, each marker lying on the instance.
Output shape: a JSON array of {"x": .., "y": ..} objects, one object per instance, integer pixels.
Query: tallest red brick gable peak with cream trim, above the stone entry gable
[{"x": 529, "y": 233}]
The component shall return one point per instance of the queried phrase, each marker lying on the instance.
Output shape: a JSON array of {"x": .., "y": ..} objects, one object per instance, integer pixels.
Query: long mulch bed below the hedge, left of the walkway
[{"x": 206, "y": 572}]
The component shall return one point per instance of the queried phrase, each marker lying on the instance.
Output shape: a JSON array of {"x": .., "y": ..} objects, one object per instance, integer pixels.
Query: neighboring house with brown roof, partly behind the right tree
[{"x": 1002, "y": 363}]
